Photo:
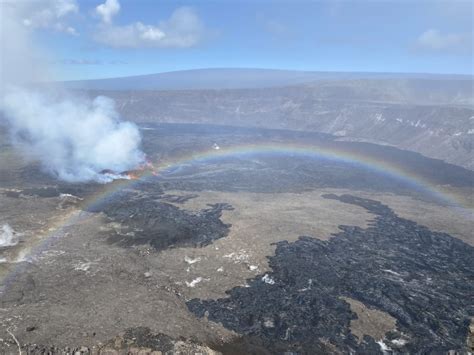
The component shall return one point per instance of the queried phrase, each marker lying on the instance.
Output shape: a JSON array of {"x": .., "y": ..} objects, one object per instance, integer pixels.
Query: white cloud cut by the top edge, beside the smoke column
[{"x": 49, "y": 14}]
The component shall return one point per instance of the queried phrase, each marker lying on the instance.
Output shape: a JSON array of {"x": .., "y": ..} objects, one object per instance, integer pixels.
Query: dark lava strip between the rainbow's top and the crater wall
[{"x": 191, "y": 138}]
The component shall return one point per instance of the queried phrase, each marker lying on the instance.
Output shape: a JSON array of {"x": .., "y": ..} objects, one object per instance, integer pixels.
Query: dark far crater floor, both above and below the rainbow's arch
[{"x": 259, "y": 172}]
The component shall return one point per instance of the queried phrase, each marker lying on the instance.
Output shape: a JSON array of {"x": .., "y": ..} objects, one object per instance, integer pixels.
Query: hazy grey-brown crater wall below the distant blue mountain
[{"x": 432, "y": 117}]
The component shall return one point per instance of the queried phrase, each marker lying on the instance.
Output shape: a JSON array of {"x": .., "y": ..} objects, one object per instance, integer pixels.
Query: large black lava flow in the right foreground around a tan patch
[{"x": 424, "y": 279}]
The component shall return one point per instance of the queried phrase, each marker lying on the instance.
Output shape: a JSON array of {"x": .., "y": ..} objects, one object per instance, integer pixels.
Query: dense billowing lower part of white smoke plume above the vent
[{"x": 74, "y": 138}]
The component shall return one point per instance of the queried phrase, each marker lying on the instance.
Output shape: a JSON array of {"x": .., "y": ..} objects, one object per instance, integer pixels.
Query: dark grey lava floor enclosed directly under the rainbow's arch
[{"x": 281, "y": 173}]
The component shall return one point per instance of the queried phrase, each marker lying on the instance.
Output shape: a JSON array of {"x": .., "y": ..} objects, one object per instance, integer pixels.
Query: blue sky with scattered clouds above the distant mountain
[{"x": 112, "y": 38}]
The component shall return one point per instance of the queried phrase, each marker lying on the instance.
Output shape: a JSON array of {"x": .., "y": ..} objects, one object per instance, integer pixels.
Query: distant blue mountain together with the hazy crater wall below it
[{"x": 427, "y": 113}]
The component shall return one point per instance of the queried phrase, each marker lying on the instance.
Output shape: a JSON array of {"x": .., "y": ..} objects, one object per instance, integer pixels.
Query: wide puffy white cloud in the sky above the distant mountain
[{"x": 183, "y": 29}]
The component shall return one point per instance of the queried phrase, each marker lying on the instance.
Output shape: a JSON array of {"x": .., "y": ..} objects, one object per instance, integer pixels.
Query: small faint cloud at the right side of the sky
[{"x": 433, "y": 39}]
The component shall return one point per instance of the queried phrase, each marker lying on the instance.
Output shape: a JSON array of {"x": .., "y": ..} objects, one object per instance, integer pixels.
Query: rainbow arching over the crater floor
[{"x": 331, "y": 153}]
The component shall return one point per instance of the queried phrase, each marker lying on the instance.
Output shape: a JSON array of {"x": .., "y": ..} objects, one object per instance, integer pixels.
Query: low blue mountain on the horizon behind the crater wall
[{"x": 238, "y": 78}]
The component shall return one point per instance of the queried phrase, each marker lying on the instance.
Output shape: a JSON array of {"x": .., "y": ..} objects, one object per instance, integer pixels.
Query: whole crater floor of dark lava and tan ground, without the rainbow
[{"x": 248, "y": 253}]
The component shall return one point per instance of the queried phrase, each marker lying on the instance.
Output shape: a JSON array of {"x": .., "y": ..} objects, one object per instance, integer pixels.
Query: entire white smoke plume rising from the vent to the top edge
[{"x": 75, "y": 138}]
